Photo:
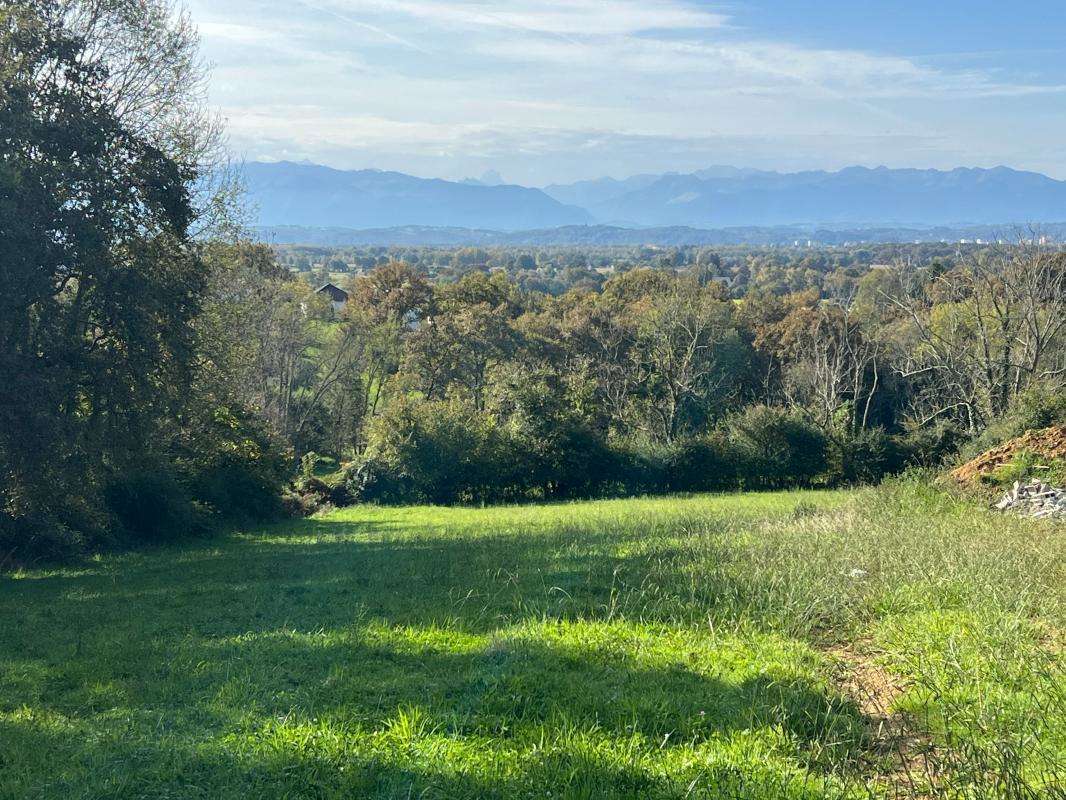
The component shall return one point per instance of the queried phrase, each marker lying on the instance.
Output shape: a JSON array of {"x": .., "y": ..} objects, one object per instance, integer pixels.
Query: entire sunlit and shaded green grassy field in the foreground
[{"x": 889, "y": 643}]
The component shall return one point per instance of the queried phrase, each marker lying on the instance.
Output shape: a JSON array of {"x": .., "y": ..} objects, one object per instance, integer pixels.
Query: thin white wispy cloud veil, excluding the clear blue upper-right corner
[{"x": 462, "y": 82}]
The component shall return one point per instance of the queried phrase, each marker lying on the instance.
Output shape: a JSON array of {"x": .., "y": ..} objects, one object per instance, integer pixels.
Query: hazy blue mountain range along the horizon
[{"x": 290, "y": 195}]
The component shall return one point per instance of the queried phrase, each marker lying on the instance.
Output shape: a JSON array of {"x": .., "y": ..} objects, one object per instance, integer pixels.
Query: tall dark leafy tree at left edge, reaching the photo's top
[{"x": 101, "y": 189}]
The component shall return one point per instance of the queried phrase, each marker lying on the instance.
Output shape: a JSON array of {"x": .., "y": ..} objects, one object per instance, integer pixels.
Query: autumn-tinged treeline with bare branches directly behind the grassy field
[{"x": 478, "y": 391}]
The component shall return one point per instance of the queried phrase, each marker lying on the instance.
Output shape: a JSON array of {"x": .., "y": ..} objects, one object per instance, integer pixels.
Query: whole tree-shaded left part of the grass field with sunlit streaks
[{"x": 285, "y": 665}]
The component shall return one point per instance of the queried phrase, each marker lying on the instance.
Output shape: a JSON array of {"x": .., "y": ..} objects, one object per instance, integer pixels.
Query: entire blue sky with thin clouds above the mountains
[{"x": 546, "y": 91}]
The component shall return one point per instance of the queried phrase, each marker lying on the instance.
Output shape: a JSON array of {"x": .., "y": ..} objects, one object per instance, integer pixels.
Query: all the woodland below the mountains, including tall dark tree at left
[{"x": 163, "y": 373}]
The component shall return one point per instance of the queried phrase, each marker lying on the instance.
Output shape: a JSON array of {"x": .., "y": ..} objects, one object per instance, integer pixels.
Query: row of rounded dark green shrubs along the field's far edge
[{"x": 443, "y": 453}]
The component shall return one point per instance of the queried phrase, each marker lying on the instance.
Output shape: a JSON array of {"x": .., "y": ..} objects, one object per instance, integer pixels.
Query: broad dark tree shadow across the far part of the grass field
[{"x": 318, "y": 574}]
